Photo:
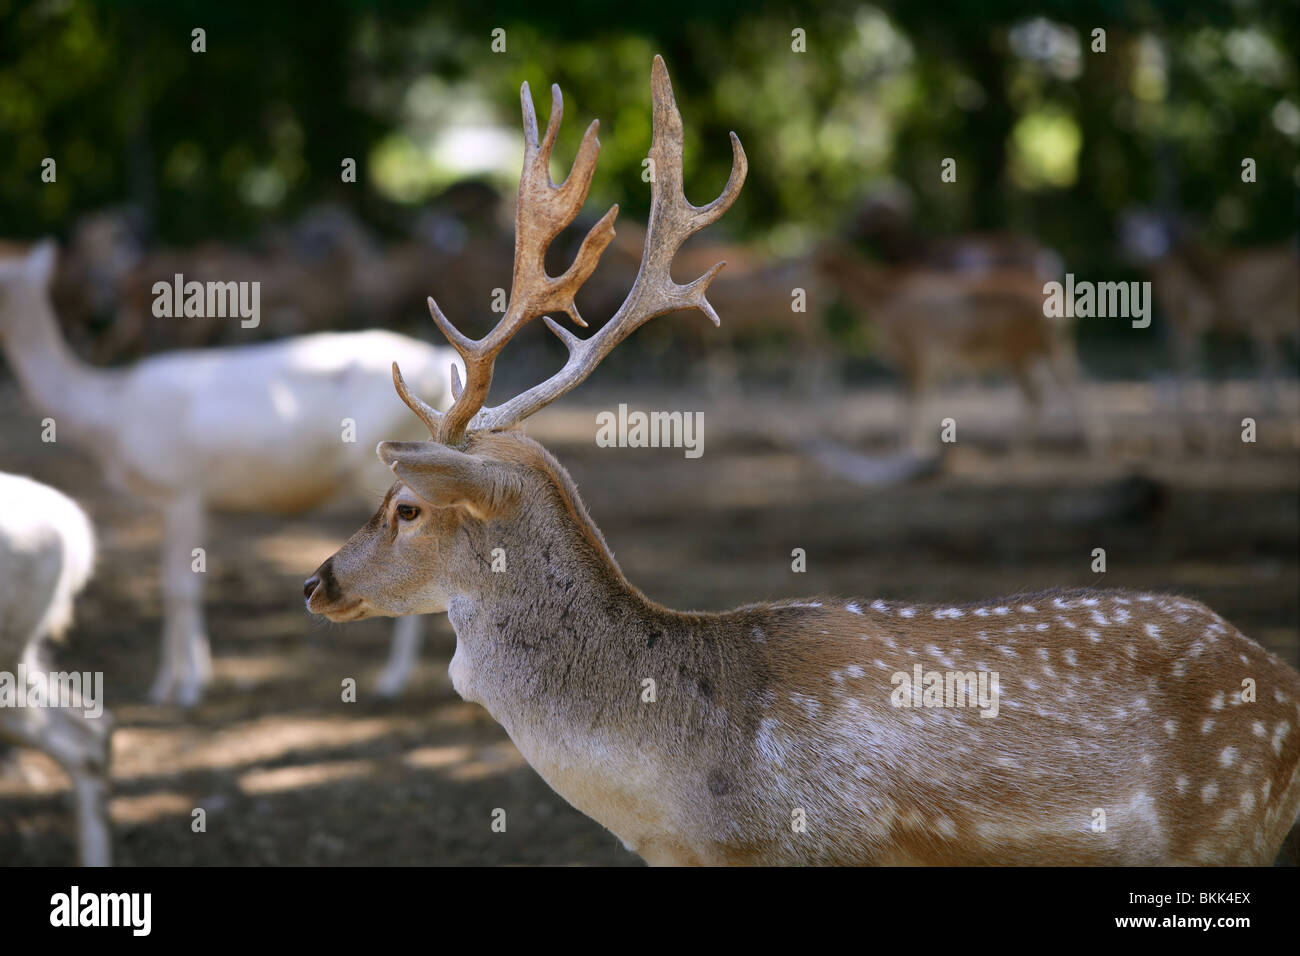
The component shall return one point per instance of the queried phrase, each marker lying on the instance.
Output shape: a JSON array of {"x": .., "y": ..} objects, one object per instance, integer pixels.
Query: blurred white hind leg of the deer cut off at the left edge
[{"x": 81, "y": 746}]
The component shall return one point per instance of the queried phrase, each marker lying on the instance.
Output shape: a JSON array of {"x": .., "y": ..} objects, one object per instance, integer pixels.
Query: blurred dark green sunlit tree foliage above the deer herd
[{"x": 1055, "y": 141}]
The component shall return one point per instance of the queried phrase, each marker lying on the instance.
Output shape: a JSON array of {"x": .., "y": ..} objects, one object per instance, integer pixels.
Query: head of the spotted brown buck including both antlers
[{"x": 479, "y": 485}]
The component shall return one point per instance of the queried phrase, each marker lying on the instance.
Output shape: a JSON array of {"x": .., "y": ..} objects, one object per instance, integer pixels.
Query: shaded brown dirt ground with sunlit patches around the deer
[{"x": 291, "y": 775}]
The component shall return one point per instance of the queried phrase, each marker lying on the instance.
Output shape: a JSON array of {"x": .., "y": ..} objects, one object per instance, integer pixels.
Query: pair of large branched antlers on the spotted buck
[{"x": 544, "y": 210}]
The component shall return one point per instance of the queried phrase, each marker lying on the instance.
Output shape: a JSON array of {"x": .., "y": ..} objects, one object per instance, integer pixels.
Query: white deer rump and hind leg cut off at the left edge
[{"x": 47, "y": 555}]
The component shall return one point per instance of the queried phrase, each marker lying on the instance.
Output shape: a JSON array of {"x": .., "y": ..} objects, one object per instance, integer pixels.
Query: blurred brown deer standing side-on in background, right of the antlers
[{"x": 934, "y": 323}]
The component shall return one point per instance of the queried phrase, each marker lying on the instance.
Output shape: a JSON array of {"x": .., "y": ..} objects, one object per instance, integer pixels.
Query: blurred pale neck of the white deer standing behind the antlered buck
[{"x": 79, "y": 397}]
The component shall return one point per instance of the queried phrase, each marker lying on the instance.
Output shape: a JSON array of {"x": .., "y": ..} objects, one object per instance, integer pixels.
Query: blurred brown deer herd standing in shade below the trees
[{"x": 933, "y": 309}]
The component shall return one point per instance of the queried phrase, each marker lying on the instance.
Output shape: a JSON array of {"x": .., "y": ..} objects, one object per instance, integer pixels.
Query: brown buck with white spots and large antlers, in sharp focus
[{"x": 777, "y": 738}]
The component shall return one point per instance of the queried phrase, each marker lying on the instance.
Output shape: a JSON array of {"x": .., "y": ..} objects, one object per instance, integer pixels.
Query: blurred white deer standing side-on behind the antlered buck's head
[{"x": 189, "y": 432}]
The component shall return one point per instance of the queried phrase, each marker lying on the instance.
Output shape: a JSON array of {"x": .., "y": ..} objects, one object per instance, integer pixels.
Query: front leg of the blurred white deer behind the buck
[{"x": 187, "y": 667}]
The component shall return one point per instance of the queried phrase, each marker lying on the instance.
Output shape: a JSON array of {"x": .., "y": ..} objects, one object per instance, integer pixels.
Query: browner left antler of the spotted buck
[{"x": 543, "y": 213}]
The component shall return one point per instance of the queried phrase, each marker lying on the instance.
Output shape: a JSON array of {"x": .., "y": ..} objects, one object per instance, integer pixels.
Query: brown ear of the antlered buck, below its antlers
[{"x": 447, "y": 478}]
